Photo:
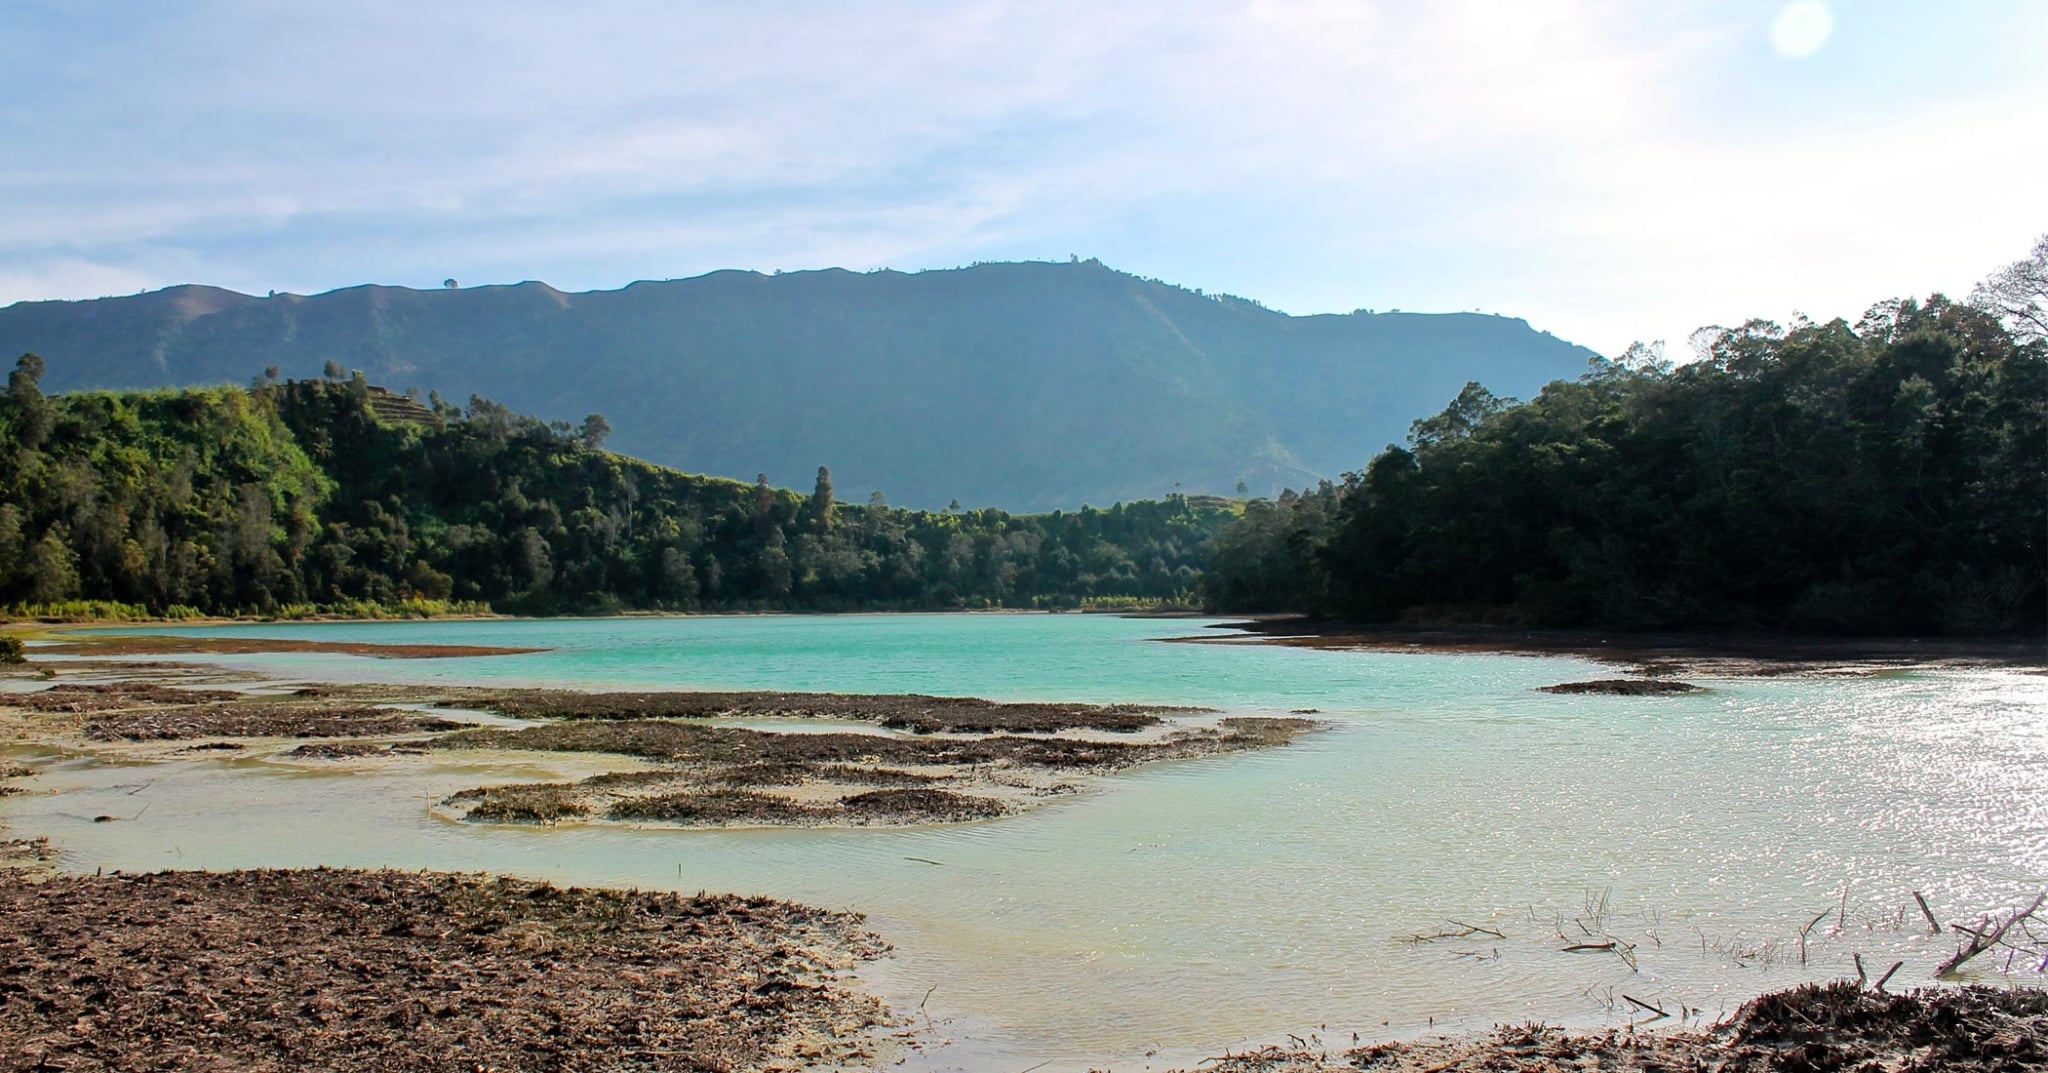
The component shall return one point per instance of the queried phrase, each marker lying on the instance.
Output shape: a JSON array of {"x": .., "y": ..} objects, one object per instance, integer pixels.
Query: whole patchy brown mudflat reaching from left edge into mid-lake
[{"x": 884, "y": 761}]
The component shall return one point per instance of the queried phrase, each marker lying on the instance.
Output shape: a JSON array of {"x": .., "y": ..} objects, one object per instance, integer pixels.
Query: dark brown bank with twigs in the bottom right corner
[{"x": 1811, "y": 1029}]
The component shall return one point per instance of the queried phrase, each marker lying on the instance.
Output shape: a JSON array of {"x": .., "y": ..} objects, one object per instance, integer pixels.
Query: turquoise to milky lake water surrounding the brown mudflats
[{"x": 1191, "y": 908}]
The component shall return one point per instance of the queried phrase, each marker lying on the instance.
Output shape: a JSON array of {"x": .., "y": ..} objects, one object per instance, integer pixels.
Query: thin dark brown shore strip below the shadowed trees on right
[{"x": 1699, "y": 654}]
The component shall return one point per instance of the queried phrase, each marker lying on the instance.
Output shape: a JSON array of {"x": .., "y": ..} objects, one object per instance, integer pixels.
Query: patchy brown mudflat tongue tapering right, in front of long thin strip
[{"x": 714, "y": 777}]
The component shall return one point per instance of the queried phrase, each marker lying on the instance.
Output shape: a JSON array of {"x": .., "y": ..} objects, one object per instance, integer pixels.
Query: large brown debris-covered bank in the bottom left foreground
[{"x": 398, "y": 972}]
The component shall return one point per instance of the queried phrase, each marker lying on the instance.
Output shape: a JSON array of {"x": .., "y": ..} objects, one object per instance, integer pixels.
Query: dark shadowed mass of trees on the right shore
[{"x": 1875, "y": 478}]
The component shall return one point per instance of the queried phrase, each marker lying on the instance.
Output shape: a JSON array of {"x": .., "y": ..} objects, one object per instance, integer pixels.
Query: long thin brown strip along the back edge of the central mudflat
[{"x": 896, "y": 712}]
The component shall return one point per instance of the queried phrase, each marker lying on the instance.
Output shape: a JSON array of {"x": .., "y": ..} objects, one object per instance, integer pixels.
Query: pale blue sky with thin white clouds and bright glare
[{"x": 1607, "y": 171}]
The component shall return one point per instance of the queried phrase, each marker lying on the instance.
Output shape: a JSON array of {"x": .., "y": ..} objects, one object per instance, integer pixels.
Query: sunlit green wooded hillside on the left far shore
[{"x": 296, "y": 497}]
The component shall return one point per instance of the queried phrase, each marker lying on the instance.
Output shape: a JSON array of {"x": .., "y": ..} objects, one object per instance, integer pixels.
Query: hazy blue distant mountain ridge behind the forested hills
[{"x": 1021, "y": 386}]
